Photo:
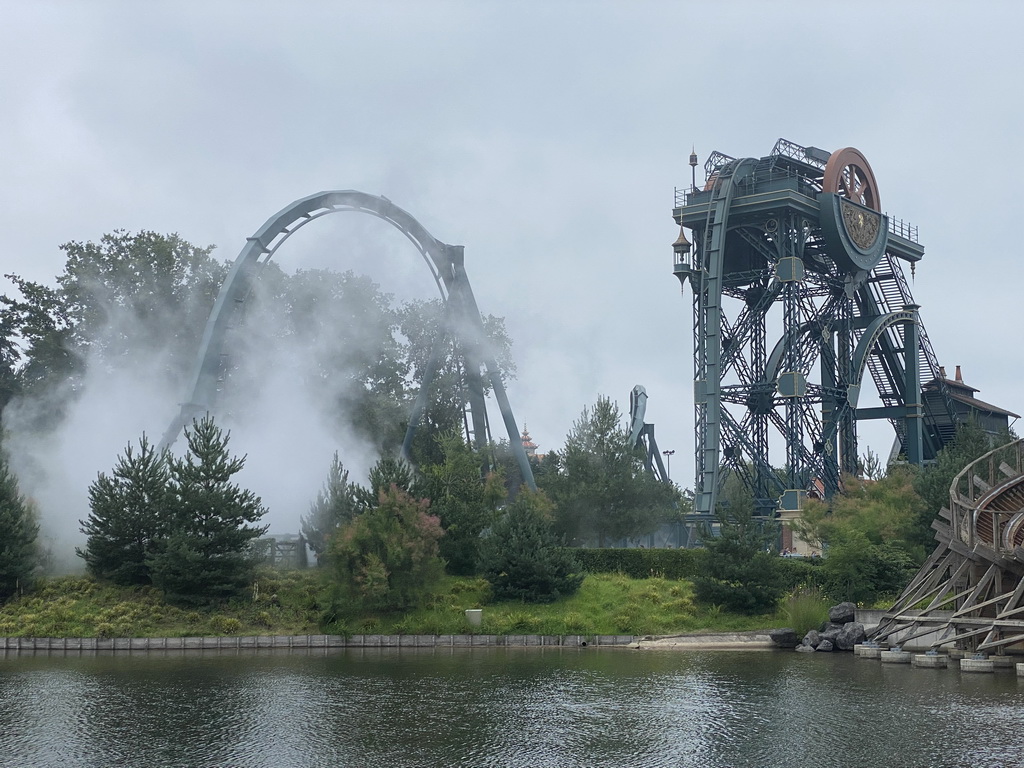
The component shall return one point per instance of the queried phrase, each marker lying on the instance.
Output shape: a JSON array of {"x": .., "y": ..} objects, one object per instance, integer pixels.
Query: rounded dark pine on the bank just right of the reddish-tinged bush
[{"x": 522, "y": 559}]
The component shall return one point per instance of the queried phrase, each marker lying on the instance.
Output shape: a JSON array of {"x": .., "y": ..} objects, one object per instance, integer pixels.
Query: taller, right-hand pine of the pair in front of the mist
[{"x": 206, "y": 554}]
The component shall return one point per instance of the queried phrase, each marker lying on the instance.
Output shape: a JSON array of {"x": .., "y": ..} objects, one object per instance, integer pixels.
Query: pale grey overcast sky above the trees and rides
[{"x": 546, "y": 138}]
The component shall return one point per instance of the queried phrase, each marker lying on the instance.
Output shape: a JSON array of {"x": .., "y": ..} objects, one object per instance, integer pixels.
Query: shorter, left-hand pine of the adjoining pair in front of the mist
[{"x": 130, "y": 511}]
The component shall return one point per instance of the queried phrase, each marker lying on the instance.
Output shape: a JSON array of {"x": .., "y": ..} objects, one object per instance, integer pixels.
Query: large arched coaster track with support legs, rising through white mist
[{"x": 446, "y": 263}]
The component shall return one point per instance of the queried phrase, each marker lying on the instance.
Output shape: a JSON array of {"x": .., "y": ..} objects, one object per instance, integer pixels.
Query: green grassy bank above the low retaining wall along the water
[{"x": 295, "y": 603}]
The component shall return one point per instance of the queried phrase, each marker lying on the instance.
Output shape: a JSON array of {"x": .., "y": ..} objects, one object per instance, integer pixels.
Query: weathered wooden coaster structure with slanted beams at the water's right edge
[{"x": 970, "y": 593}]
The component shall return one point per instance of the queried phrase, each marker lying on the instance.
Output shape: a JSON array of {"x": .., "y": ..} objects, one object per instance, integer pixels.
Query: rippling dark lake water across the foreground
[{"x": 550, "y": 708}]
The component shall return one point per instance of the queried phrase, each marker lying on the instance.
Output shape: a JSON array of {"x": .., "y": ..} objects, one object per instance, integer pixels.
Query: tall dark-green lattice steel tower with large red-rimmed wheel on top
[{"x": 799, "y": 290}]
